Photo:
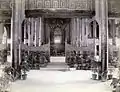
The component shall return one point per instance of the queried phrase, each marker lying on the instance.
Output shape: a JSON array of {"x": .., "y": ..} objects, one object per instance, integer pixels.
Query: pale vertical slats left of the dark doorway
[{"x": 33, "y": 29}]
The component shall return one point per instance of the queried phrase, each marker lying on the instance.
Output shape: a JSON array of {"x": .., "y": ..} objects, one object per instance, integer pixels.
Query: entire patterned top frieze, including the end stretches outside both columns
[{"x": 113, "y": 5}]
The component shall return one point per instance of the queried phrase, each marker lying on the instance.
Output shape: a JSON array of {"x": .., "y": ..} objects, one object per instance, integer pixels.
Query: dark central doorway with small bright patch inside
[{"x": 58, "y": 29}]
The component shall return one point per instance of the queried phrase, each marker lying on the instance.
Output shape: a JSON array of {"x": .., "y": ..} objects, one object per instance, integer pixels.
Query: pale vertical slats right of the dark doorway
[{"x": 80, "y": 31}]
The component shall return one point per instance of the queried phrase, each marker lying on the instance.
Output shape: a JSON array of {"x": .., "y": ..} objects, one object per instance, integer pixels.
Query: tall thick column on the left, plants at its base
[{"x": 16, "y": 23}]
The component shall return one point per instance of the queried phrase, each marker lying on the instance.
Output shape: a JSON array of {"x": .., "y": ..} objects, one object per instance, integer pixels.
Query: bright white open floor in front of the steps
[{"x": 60, "y": 81}]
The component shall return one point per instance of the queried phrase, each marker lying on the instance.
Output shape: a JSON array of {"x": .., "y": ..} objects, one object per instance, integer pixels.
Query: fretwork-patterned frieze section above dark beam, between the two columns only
[{"x": 59, "y": 4}]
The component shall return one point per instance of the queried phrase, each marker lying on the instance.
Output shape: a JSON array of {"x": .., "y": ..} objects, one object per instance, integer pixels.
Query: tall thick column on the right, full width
[{"x": 102, "y": 19}]
